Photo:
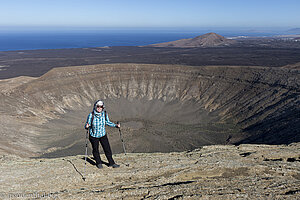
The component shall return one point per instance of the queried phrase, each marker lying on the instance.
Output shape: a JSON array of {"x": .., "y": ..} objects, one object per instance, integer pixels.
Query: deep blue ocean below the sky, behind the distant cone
[{"x": 12, "y": 41}]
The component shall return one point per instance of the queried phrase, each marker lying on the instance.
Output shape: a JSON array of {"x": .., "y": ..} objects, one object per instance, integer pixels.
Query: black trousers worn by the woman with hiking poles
[{"x": 106, "y": 147}]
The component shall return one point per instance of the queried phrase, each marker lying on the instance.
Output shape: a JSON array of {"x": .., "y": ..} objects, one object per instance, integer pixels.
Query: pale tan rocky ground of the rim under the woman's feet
[{"x": 211, "y": 172}]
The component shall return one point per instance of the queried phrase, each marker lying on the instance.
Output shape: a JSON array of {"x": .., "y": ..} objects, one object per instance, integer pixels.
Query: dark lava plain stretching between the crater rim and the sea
[{"x": 37, "y": 62}]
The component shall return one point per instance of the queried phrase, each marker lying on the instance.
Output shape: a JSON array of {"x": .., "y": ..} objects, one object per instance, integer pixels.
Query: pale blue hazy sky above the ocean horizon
[{"x": 150, "y": 13}]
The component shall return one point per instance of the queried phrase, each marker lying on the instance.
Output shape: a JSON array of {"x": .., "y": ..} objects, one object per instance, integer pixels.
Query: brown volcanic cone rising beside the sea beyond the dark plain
[{"x": 206, "y": 40}]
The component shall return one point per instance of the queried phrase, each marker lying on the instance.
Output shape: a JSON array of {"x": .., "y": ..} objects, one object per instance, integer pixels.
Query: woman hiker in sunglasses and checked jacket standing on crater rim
[{"x": 96, "y": 122}]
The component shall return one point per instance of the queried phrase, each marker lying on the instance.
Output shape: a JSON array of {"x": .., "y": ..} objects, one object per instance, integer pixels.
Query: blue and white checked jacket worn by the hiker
[{"x": 97, "y": 127}]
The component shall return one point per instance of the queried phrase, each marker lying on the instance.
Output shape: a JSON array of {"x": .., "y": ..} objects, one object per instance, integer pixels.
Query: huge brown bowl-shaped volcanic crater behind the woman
[{"x": 162, "y": 108}]
